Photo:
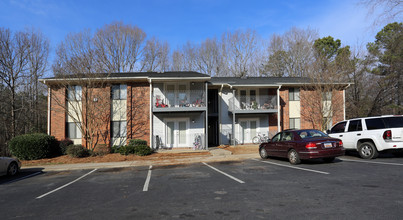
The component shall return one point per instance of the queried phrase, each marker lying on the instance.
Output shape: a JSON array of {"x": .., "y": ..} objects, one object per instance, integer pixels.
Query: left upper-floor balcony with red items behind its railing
[{"x": 180, "y": 100}]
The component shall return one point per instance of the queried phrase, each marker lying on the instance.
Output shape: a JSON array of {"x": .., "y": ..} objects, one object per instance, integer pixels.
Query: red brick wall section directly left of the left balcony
[{"x": 138, "y": 111}]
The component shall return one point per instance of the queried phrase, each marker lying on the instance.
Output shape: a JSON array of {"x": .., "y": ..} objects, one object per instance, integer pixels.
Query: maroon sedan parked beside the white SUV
[{"x": 297, "y": 145}]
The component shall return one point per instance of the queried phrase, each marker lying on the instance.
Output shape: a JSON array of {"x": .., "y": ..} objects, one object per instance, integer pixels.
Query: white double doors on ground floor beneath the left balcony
[{"x": 176, "y": 132}]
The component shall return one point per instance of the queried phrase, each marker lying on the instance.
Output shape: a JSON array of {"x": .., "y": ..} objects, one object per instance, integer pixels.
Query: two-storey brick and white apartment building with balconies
[{"x": 182, "y": 109}]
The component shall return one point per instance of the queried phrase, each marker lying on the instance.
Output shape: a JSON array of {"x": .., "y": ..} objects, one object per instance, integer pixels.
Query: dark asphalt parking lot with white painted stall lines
[{"x": 349, "y": 188}]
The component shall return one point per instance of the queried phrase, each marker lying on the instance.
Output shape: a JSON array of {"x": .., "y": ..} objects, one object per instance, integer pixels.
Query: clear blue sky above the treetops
[{"x": 180, "y": 21}]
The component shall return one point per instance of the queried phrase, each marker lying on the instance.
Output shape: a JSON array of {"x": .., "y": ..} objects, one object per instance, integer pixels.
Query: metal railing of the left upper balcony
[{"x": 180, "y": 99}]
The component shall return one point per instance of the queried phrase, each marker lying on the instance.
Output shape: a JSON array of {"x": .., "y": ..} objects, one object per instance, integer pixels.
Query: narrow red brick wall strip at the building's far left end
[{"x": 57, "y": 112}]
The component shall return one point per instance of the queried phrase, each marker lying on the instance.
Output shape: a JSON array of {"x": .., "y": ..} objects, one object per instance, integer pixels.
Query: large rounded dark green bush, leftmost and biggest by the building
[{"x": 34, "y": 146}]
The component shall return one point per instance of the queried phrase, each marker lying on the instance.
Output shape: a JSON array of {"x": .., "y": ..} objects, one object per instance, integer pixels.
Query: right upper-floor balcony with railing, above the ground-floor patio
[{"x": 248, "y": 104}]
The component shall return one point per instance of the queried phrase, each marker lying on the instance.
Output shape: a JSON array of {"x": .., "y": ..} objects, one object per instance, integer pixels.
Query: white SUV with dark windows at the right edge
[{"x": 370, "y": 135}]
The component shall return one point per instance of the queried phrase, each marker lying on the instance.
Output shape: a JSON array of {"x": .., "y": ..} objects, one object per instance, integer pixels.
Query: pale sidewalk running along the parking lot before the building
[{"x": 216, "y": 155}]
